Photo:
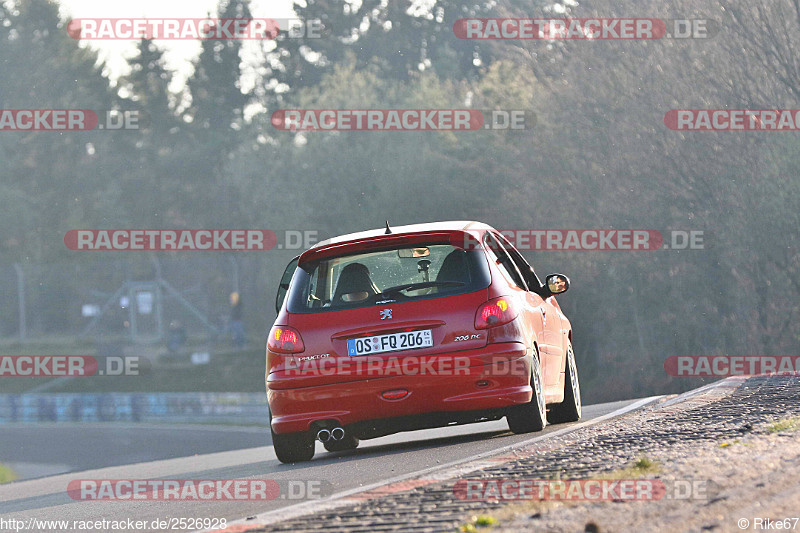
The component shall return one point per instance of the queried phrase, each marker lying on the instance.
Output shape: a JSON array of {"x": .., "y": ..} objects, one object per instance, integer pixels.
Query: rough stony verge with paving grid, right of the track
[{"x": 726, "y": 458}]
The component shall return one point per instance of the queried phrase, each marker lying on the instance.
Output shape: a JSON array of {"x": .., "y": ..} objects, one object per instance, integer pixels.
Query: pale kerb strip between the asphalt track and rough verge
[{"x": 459, "y": 467}]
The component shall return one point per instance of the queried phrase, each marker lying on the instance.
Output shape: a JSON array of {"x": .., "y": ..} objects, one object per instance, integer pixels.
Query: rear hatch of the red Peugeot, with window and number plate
[{"x": 410, "y": 310}]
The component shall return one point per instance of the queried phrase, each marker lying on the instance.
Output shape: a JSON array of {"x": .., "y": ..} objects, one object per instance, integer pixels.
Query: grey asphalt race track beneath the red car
[{"x": 374, "y": 461}]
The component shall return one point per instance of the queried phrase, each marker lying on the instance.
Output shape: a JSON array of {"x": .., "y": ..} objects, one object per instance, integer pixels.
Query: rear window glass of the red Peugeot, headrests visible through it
[{"x": 394, "y": 274}]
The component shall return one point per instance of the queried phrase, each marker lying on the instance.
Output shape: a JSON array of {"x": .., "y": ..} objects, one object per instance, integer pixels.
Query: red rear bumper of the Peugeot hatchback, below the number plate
[{"x": 485, "y": 387}]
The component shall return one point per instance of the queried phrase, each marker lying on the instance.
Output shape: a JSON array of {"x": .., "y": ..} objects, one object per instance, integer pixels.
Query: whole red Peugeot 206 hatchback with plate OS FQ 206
[{"x": 415, "y": 327}]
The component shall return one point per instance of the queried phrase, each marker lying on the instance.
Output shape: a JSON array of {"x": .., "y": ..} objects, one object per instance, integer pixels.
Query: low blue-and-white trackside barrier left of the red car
[{"x": 209, "y": 408}]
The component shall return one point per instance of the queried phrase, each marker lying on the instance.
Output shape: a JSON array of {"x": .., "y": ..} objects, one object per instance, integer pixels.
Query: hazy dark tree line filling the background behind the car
[{"x": 599, "y": 156}]
